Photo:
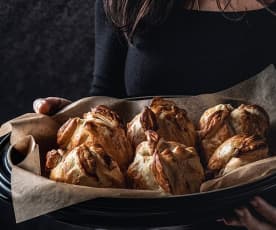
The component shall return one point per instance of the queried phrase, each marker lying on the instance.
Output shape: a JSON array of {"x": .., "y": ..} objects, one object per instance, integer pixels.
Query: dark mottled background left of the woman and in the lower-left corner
[{"x": 46, "y": 49}]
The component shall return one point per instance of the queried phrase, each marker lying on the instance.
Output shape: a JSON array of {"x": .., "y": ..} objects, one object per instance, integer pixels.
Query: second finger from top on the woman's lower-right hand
[{"x": 250, "y": 222}]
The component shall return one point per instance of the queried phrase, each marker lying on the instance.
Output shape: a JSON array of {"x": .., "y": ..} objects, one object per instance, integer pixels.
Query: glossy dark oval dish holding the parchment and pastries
[{"x": 186, "y": 210}]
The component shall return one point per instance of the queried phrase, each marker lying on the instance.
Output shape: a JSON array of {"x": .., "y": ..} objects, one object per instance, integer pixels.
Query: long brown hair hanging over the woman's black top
[{"x": 128, "y": 15}]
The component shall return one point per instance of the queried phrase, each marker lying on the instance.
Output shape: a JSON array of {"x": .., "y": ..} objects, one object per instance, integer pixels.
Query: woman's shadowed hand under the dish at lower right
[{"x": 246, "y": 219}]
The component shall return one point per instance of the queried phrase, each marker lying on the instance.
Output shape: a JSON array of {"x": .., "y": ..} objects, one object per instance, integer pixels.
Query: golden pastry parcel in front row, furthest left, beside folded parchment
[{"x": 85, "y": 165}]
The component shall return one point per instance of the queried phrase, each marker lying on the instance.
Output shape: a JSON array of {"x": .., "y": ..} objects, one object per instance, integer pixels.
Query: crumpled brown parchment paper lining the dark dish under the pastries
[{"x": 33, "y": 135}]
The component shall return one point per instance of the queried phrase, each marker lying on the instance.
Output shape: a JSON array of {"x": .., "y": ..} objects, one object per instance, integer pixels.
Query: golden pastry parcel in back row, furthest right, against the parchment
[{"x": 221, "y": 122}]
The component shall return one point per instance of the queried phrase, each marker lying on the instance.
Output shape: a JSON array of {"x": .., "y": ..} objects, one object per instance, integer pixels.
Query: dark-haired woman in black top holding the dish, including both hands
[{"x": 180, "y": 47}]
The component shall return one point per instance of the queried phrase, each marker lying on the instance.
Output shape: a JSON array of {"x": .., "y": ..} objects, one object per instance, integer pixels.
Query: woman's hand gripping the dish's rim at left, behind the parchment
[{"x": 49, "y": 105}]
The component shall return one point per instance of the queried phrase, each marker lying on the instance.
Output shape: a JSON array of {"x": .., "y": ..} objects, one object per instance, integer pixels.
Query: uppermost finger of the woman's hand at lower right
[{"x": 265, "y": 209}]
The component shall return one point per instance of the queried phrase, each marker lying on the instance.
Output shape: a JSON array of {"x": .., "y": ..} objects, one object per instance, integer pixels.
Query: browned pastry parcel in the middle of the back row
[{"x": 167, "y": 119}]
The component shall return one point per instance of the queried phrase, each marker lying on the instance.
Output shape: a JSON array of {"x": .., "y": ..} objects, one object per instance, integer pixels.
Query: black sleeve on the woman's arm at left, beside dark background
[{"x": 110, "y": 56}]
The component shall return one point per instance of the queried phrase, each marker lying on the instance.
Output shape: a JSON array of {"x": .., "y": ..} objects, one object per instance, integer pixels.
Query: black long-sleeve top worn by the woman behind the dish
[{"x": 192, "y": 52}]
